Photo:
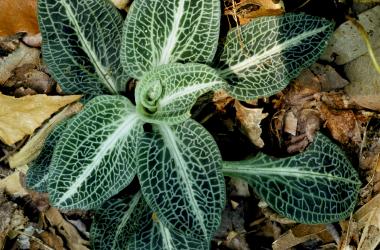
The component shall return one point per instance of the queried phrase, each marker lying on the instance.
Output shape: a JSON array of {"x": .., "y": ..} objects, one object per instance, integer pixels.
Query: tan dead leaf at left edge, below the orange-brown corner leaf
[{"x": 22, "y": 55}]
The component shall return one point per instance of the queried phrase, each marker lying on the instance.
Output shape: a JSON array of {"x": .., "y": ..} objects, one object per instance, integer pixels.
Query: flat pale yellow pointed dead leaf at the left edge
[{"x": 21, "y": 116}]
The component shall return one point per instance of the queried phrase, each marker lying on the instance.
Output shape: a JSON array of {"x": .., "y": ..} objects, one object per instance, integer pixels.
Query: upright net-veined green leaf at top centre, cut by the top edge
[{"x": 159, "y": 32}]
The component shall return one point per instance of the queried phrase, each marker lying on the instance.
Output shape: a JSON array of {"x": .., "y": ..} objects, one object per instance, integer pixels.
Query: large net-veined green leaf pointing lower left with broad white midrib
[{"x": 95, "y": 156}]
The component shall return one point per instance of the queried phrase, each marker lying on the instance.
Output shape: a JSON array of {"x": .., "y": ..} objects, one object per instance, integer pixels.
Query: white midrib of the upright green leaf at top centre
[{"x": 173, "y": 36}]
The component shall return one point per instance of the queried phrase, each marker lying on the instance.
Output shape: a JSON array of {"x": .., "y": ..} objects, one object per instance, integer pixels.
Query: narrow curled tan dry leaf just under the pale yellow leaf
[{"x": 33, "y": 147}]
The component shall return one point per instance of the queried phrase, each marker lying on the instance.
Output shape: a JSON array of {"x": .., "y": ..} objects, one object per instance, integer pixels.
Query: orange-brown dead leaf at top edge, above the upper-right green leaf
[{"x": 246, "y": 10}]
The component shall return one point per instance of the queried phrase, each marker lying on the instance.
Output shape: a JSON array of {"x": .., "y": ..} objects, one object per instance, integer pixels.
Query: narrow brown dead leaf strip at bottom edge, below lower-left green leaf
[{"x": 68, "y": 231}]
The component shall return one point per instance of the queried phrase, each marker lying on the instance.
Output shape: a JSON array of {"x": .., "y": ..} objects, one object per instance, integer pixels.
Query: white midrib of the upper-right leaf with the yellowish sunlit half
[{"x": 258, "y": 59}]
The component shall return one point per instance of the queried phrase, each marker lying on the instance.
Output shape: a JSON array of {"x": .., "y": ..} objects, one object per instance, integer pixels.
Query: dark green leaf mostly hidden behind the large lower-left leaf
[{"x": 37, "y": 175}]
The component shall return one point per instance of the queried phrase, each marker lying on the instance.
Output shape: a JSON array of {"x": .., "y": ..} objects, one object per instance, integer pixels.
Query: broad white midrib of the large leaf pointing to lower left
[{"x": 123, "y": 130}]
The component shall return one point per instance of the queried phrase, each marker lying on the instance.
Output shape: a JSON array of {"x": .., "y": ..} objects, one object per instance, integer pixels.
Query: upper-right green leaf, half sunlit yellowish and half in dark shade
[{"x": 260, "y": 58}]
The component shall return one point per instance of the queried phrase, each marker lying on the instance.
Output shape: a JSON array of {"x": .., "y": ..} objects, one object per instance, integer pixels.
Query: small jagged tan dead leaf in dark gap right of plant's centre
[{"x": 250, "y": 119}]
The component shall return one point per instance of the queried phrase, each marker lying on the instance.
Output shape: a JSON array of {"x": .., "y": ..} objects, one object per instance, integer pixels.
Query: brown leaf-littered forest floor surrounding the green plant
[{"x": 328, "y": 97}]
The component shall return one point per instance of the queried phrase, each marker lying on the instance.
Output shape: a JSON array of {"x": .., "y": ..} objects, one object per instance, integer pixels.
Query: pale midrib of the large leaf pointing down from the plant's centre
[{"x": 170, "y": 141}]
